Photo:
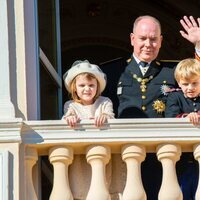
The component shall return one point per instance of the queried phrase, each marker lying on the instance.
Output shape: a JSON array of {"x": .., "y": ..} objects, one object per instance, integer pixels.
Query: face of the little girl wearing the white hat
[{"x": 86, "y": 89}]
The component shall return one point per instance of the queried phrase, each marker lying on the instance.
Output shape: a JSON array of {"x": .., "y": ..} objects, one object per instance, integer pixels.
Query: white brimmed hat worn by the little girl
[{"x": 80, "y": 67}]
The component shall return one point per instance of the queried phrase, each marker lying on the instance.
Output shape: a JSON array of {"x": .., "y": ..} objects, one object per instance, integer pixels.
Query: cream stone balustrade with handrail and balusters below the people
[{"x": 128, "y": 140}]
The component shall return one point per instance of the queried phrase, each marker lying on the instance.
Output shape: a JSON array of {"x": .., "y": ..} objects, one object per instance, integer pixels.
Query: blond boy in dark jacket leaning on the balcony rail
[{"x": 186, "y": 103}]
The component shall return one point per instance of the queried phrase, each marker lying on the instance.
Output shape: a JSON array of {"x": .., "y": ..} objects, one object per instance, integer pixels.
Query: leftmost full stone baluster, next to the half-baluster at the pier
[{"x": 61, "y": 157}]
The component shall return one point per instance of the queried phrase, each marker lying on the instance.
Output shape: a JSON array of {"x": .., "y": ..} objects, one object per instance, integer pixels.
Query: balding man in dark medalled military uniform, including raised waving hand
[{"x": 143, "y": 86}]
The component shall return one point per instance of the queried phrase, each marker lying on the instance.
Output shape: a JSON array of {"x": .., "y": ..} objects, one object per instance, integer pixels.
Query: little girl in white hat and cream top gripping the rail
[{"x": 86, "y": 82}]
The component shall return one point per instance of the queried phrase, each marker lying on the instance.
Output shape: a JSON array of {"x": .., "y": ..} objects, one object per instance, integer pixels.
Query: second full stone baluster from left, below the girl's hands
[{"x": 98, "y": 156}]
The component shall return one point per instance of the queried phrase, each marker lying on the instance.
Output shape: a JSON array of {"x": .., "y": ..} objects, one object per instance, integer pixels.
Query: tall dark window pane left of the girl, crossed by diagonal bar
[{"x": 50, "y": 59}]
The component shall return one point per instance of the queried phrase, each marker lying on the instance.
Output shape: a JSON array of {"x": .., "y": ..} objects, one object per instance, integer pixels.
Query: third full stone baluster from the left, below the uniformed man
[{"x": 133, "y": 155}]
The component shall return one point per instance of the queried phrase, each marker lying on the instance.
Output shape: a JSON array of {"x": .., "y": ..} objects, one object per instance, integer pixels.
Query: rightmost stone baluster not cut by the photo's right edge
[{"x": 168, "y": 155}]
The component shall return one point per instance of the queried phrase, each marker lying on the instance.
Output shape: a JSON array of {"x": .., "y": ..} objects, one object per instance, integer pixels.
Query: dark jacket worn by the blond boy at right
[{"x": 178, "y": 105}]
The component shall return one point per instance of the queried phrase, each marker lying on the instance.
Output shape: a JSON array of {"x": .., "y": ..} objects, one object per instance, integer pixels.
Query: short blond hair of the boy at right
[{"x": 187, "y": 69}]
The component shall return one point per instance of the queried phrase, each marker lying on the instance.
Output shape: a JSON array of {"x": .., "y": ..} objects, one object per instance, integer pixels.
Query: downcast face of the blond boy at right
[{"x": 191, "y": 87}]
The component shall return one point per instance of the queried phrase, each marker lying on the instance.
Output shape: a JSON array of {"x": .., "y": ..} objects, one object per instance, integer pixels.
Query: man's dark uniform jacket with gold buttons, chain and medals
[{"x": 144, "y": 96}]
